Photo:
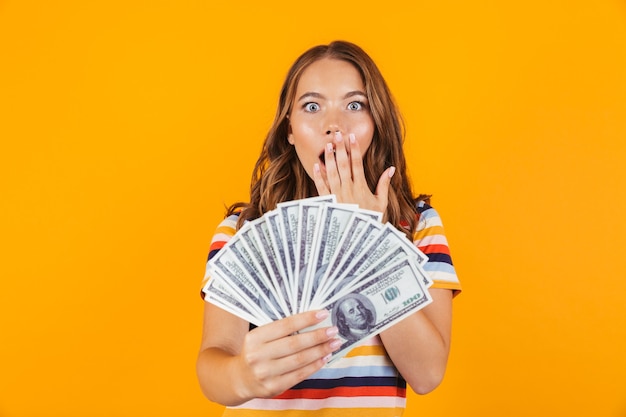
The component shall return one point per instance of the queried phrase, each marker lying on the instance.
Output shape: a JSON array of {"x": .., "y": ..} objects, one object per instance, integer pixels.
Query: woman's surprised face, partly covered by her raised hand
[{"x": 330, "y": 97}]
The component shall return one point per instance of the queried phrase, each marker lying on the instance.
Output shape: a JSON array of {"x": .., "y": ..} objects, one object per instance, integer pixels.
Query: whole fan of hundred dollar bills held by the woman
[{"x": 316, "y": 253}]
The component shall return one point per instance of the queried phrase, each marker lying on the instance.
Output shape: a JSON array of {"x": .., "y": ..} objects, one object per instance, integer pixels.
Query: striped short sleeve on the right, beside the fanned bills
[{"x": 429, "y": 237}]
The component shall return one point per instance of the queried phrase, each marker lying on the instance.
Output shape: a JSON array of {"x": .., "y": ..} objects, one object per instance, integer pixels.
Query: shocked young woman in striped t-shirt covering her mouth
[{"x": 336, "y": 131}]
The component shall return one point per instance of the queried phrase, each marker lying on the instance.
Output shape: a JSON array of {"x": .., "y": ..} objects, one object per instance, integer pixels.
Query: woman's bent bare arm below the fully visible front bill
[{"x": 419, "y": 345}]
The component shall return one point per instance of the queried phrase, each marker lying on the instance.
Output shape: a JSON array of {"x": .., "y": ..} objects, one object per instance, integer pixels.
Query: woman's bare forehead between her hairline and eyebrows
[{"x": 332, "y": 75}]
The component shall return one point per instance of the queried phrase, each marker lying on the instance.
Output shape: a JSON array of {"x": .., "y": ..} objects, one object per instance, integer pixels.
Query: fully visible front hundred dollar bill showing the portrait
[{"x": 392, "y": 295}]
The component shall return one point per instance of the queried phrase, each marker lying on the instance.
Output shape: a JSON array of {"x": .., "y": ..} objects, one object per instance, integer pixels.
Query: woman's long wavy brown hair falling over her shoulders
[{"x": 278, "y": 174}]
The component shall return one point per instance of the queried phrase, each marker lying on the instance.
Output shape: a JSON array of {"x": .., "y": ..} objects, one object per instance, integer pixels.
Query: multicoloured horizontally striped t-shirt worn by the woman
[{"x": 364, "y": 382}]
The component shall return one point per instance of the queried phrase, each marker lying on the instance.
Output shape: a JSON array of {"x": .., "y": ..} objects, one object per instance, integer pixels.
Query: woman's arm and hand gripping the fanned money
[{"x": 236, "y": 365}]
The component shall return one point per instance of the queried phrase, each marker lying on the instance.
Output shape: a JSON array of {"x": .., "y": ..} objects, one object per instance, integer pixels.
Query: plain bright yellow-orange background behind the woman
[{"x": 126, "y": 126}]
